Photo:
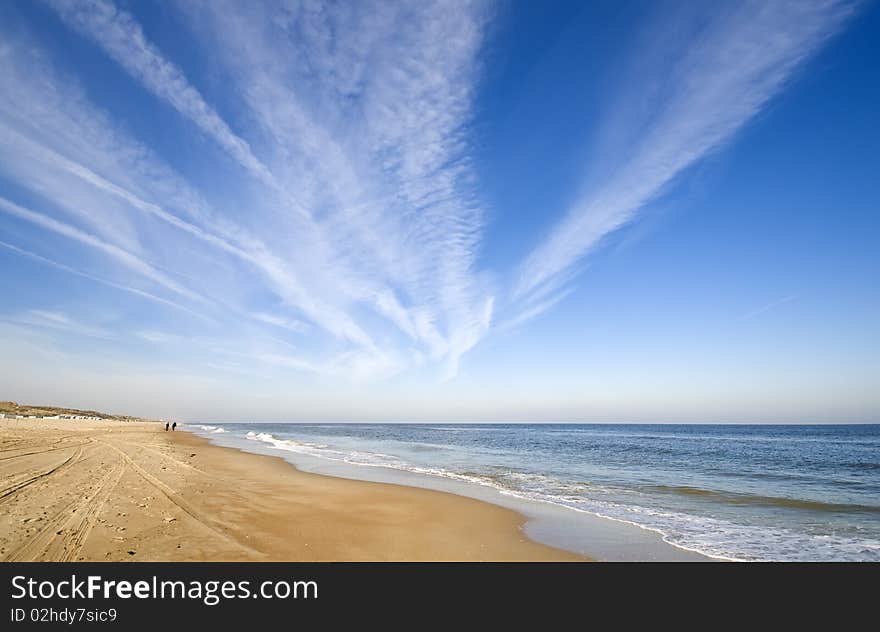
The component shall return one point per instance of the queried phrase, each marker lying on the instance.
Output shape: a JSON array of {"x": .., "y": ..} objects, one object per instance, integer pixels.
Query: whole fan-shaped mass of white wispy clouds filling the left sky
[{"x": 360, "y": 204}]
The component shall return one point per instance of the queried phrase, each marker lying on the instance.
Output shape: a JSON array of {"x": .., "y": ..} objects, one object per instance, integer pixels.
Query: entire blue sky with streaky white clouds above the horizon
[{"x": 463, "y": 211}]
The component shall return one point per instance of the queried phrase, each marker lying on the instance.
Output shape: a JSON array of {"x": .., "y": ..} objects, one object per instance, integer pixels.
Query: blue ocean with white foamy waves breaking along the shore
[{"x": 781, "y": 493}]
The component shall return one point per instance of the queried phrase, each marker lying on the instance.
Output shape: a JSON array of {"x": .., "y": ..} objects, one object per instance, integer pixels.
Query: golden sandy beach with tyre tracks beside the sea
[{"x": 111, "y": 490}]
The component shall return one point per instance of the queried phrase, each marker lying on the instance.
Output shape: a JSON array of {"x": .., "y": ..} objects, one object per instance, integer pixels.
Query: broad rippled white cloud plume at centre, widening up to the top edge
[{"x": 379, "y": 150}]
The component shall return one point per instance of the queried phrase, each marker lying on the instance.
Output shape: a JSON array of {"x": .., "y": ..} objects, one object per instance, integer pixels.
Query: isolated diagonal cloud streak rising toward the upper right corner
[{"x": 712, "y": 86}]
